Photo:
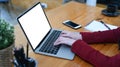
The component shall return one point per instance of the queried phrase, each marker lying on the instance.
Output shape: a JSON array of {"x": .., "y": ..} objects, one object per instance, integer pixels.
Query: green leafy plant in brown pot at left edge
[{"x": 6, "y": 43}]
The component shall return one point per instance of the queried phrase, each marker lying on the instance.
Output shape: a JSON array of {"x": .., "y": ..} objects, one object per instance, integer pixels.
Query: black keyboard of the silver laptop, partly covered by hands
[{"x": 48, "y": 46}]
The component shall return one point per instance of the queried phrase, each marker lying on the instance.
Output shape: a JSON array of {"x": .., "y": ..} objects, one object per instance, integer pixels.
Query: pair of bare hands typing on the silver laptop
[{"x": 68, "y": 38}]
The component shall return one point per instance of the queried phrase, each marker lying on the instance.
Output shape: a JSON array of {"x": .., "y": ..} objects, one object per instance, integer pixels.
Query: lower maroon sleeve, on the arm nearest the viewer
[{"x": 83, "y": 50}]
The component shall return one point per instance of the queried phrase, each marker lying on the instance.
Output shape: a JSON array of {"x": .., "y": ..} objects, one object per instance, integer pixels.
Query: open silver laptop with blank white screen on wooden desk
[{"x": 40, "y": 35}]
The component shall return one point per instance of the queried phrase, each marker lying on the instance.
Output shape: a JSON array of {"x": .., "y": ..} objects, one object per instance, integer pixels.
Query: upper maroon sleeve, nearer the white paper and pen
[{"x": 109, "y": 36}]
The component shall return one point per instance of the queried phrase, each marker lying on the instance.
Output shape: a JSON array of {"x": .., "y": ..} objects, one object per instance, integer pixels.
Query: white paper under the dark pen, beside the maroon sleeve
[{"x": 98, "y": 26}]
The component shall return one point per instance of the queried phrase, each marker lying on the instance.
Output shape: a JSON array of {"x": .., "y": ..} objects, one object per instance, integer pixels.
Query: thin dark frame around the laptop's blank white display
[{"x": 39, "y": 3}]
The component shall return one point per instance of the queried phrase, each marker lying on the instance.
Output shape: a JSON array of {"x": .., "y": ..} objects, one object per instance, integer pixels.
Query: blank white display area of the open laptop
[{"x": 34, "y": 24}]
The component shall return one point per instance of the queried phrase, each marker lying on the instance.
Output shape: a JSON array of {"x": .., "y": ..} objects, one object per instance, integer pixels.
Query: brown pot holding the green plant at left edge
[{"x": 5, "y": 56}]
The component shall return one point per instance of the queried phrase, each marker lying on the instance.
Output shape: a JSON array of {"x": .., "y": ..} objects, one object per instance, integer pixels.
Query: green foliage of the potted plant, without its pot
[{"x": 6, "y": 34}]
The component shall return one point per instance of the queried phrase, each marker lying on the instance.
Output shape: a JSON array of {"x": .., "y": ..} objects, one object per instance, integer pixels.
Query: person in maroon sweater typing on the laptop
[{"x": 79, "y": 45}]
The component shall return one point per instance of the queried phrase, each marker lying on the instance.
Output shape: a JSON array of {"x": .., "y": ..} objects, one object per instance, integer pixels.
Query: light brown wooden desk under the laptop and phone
[{"x": 81, "y": 14}]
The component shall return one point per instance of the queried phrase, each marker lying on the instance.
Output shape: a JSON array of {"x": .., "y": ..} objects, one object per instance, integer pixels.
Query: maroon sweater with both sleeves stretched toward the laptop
[{"x": 82, "y": 49}]
